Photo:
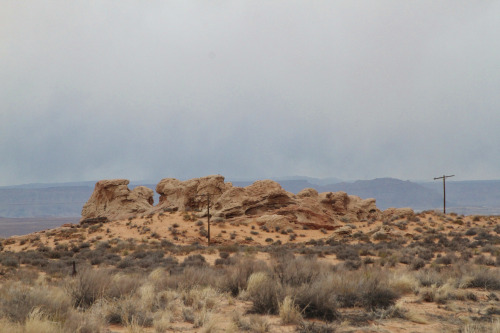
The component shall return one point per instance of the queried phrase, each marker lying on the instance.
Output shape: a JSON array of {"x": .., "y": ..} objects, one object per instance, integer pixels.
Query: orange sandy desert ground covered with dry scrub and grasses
[{"x": 427, "y": 272}]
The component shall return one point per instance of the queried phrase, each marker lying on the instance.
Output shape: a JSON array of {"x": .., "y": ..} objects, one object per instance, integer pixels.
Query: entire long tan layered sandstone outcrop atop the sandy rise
[{"x": 265, "y": 201}]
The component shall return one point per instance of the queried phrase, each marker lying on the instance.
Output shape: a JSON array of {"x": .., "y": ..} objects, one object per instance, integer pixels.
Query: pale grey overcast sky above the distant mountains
[{"x": 249, "y": 89}]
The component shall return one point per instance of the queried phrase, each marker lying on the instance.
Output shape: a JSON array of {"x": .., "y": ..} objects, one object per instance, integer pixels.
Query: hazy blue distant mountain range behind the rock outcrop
[{"x": 463, "y": 197}]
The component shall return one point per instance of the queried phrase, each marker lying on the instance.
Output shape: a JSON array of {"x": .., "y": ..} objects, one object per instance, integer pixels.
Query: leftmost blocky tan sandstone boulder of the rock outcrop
[{"x": 112, "y": 199}]
